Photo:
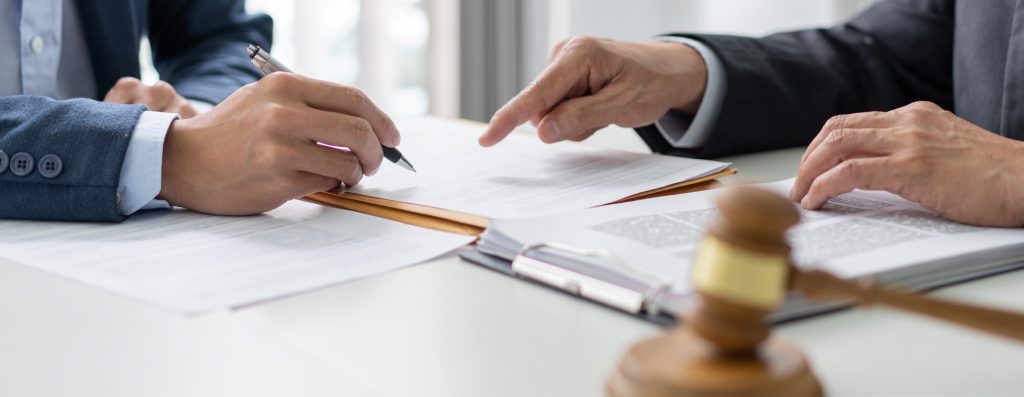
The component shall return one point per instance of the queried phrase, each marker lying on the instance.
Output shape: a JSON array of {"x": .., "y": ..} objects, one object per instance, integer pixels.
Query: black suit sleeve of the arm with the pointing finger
[{"x": 782, "y": 89}]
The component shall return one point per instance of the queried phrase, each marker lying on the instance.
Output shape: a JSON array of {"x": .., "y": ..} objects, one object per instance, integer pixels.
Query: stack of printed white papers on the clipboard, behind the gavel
[{"x": 857, "y": 235}]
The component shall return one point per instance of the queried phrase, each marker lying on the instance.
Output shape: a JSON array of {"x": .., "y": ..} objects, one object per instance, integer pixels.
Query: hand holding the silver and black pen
[{"x": 260, "y": 148}]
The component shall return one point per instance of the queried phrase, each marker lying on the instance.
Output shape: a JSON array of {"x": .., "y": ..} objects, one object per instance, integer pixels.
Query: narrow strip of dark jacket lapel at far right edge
[{"x": 1013, "y": 89}]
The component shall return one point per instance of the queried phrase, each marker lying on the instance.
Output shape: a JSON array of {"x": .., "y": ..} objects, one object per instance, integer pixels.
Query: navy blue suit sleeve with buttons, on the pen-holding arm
[{"x": 90, "y": 138}]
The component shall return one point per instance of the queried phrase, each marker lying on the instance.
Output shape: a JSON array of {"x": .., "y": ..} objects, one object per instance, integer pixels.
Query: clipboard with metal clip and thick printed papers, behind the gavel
[{"x": 859, "y": 235}]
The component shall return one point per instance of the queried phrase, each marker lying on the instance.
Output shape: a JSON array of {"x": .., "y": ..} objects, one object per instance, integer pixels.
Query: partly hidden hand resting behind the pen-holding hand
[{"x": 160, "y": 97}]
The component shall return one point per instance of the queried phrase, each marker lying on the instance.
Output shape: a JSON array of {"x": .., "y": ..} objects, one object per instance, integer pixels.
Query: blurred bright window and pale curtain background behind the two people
[{"x": 467, "y": 58}]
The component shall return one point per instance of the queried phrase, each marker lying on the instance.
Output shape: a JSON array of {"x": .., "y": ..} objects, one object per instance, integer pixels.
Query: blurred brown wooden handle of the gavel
[{"x": 819, "y": 285}]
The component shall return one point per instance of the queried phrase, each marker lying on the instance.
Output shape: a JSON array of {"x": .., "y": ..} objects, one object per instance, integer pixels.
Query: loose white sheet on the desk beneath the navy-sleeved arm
[{"x": 191, "y": 262}]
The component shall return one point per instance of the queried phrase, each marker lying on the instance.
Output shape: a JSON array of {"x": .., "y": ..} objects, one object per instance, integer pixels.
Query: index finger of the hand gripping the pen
[{"x": 339, "y": 99}]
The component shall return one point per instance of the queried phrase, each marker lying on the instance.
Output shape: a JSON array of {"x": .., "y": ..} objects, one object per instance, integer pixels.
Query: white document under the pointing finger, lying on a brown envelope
[{"x": 521, "y": 178}]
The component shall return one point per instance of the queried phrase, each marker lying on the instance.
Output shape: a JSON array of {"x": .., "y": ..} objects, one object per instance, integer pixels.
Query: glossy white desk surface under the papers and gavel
[{"x": 447, "y": 329}]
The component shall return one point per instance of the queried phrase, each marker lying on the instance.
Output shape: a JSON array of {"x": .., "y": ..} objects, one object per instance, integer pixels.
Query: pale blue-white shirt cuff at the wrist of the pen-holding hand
[{"x": 141, "y": 174}]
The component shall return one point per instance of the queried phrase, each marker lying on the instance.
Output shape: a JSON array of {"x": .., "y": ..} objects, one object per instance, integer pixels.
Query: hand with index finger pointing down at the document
[{"x": 593, "y": 83}]
